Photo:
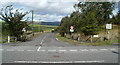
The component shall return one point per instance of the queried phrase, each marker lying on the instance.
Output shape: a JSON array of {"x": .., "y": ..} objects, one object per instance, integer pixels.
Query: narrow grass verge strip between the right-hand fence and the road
[{"x": 75, "y": 42}]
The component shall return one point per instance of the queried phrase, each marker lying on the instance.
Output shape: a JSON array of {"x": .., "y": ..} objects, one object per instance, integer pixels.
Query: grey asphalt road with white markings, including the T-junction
[{"x": 48, "y": 49}]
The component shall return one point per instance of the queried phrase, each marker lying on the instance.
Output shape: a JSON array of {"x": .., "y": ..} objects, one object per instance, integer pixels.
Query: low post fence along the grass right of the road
[{"x": 92, "y": 38}]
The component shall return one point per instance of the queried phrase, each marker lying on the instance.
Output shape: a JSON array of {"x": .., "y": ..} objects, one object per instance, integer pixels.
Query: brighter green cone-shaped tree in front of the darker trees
[{"x": 91, "y": 27}]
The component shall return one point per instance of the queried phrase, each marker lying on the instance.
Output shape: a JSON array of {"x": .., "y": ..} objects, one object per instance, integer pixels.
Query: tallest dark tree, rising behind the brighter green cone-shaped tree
[{"x": 102, "y": 9}]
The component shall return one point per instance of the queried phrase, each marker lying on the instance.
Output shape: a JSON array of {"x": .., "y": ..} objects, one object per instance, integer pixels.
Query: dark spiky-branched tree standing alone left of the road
[{"x": 13, "y": 18}]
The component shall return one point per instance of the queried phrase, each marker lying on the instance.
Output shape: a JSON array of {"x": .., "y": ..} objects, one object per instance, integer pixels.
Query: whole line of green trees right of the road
[{"x": 89, "y": 17}]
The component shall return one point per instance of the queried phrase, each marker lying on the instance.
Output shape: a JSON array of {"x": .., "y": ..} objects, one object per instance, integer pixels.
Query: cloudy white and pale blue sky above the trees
[{"x": 44, "y": 10}]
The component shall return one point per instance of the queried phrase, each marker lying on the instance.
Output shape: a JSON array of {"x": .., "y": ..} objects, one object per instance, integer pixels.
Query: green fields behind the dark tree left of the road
[{"x": 37, "y": 28}]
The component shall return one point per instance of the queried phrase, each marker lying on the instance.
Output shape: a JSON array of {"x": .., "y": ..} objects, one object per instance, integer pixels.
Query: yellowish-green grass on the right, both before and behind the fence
[{"x": 113, "y": 32}]
